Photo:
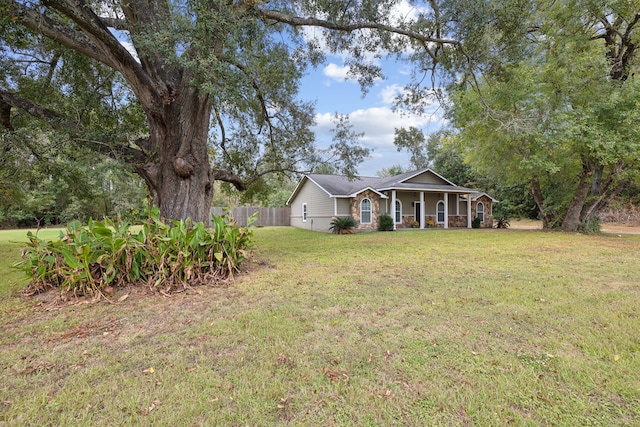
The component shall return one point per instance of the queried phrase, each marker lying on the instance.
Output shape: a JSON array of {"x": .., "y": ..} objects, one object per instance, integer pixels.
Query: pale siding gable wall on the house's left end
[{"x": 319, "y": 208}]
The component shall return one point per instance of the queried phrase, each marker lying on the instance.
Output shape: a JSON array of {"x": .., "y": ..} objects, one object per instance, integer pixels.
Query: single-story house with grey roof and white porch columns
[{"x": 418, "y": 199}]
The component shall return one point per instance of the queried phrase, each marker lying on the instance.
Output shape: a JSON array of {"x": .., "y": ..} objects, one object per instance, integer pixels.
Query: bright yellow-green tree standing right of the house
[{"x": 563, "y": 115}]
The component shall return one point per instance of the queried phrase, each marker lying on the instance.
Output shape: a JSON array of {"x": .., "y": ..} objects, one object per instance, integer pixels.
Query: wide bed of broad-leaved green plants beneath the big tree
[{"x": 167, "y": 257}]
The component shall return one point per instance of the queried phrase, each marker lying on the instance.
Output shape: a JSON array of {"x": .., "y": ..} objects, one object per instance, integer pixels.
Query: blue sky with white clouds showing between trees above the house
[{"x": 373, "y": 115}]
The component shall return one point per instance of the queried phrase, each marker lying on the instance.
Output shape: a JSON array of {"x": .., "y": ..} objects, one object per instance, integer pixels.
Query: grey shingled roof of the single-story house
[{"x": 342, "y": 187}]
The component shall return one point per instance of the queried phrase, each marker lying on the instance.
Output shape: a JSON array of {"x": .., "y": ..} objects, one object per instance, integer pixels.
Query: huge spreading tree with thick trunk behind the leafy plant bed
[{"x": 215, "y": 81}]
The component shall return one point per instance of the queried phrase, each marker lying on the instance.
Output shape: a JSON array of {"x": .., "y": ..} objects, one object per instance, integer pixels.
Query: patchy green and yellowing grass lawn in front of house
[{"x": 431, "y": 327}]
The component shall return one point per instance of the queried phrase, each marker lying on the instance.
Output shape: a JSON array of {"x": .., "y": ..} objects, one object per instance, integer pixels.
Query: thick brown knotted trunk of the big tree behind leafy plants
[{"x": 179, "y": 174}]
